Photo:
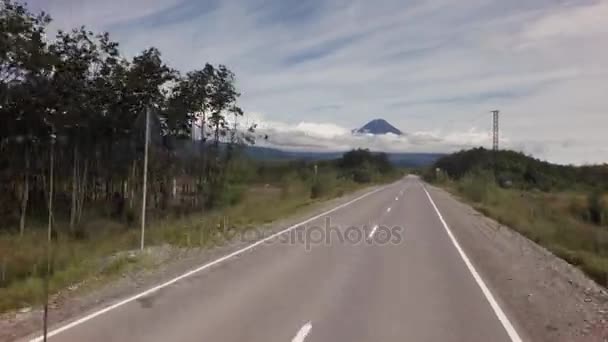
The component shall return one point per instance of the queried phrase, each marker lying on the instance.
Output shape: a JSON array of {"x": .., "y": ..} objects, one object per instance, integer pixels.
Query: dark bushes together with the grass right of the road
[{"x": 563, "y": 208}]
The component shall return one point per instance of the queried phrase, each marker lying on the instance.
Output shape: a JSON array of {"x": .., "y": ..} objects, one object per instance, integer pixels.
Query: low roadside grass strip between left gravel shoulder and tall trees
[{"x": 103, "y": 254}]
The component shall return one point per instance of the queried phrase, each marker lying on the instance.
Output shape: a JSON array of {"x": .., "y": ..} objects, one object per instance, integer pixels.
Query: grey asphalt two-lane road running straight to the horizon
[{"x": 420, "y": 286}]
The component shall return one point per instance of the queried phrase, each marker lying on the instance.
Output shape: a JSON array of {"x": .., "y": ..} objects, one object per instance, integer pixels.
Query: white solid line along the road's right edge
[{"x": 482, "y": 285}]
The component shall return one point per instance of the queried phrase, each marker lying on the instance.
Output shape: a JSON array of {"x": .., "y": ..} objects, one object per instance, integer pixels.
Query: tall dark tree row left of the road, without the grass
[{"x": 75, "y": 98}]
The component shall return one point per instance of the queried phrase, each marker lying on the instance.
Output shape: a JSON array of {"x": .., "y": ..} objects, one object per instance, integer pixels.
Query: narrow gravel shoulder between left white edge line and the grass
[{"x": 164, "y": 263}]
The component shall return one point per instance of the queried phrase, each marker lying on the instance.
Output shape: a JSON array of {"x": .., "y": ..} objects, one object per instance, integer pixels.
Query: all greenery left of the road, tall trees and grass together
[{"x": 74, "y": 115}]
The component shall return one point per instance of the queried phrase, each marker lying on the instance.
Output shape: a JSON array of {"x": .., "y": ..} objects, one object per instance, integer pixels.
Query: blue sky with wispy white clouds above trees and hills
[{"x": 310, "y": 71}]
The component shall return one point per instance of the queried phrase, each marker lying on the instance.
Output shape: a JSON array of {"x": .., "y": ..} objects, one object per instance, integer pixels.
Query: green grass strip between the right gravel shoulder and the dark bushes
[{"x": 555, "y": 221}]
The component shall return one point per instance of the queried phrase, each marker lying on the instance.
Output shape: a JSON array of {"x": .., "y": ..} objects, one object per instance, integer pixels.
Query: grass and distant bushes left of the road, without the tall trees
[{"x": 258, "y": 193}]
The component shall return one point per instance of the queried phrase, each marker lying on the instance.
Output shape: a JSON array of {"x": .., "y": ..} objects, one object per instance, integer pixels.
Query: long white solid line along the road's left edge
[{"x": 199, "y": 269}]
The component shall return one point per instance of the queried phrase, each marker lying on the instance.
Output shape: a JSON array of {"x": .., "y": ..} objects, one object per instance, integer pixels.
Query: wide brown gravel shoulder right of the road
[{"x": 545, "y": 297}]
